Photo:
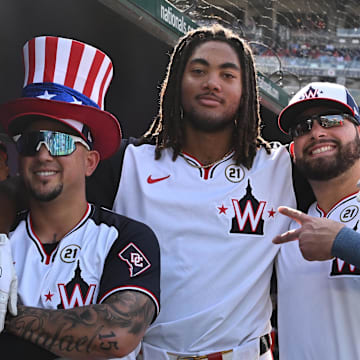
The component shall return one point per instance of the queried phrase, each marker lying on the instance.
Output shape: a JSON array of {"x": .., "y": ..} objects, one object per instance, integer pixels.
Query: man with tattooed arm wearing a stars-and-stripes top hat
[{"x": 88, "y": 279}]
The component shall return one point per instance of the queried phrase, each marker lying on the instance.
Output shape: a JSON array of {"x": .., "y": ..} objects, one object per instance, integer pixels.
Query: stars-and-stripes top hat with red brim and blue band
[{"x": 66, "y": 80}]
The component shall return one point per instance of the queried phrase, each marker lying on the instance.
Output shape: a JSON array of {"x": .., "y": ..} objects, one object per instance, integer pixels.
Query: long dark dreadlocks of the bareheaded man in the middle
[{"x": 167, "y": 129}]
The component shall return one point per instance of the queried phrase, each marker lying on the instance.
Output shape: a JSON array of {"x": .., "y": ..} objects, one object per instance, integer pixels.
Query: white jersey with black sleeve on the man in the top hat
[{"x": 105, "y": 253}]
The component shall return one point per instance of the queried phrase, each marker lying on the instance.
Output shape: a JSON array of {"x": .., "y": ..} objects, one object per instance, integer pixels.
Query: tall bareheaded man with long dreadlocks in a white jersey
[{"x": 209, "y": 186}]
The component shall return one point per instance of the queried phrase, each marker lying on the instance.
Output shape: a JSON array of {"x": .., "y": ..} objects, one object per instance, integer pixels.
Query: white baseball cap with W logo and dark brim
[{"x": 318, "y": 94}]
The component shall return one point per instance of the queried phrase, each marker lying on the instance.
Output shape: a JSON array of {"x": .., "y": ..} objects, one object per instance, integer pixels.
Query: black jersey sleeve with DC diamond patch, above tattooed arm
[{"x": 133, "y": 262}]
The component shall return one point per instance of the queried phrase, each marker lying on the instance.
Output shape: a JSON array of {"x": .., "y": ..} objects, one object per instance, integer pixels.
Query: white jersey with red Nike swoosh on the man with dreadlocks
[{"x": 215, "y": 228}]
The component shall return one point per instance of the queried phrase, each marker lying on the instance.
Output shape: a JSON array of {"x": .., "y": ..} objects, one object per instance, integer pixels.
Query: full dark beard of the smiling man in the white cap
[{"x": 326, "y": 169}]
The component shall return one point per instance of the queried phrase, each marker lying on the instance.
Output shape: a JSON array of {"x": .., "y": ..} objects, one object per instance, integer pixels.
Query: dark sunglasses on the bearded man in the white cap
[{"x": 325, "y": 121}]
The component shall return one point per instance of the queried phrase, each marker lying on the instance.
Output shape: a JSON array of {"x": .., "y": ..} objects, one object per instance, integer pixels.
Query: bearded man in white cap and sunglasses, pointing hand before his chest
[{"x": 318, "y": 301}]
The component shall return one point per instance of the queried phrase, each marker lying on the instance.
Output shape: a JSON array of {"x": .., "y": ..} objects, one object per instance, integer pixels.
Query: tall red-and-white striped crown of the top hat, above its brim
[{"x": 70, "y": 63}]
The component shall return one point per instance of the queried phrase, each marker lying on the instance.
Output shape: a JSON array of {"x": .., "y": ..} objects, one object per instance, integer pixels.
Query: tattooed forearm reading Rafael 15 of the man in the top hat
[{"x": 106, "y": 330}]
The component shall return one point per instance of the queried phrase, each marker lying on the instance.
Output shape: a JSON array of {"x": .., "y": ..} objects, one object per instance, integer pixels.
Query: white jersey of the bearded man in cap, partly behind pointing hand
[{"x": 318, "y": 301}]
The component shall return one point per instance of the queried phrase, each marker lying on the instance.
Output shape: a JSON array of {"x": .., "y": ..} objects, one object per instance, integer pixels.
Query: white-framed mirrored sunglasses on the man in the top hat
[{"x": 57, "y": 143}]
